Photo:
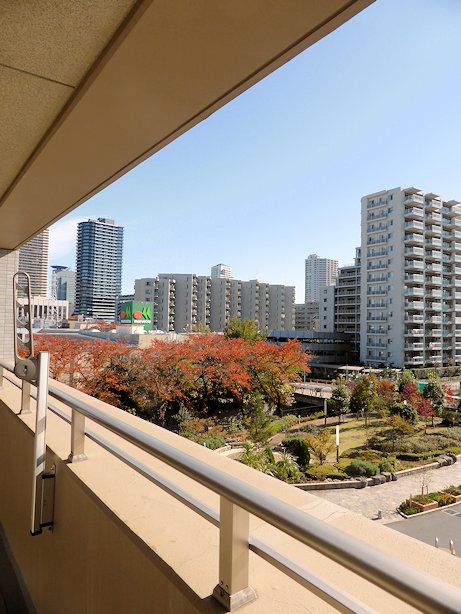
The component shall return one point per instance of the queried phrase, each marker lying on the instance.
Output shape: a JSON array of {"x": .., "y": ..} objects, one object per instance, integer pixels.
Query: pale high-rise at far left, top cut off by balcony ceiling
[{"x": 33, "y": 259}]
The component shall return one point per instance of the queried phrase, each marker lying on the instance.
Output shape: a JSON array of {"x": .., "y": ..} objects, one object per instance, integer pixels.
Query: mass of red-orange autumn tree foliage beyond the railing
[{"x": 199, "y": 375}]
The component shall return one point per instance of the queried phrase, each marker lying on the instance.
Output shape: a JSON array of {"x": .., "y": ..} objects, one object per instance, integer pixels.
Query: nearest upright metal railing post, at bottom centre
[{"x": 233, "y": 589}]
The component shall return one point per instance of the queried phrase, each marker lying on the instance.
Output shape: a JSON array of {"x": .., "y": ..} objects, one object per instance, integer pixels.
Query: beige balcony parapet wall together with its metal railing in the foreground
[{"x": 176, "y": 517}]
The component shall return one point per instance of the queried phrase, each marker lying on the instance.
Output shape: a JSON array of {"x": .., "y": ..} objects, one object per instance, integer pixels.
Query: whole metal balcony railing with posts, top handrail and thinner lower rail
[{"x": 239, "y": 499}]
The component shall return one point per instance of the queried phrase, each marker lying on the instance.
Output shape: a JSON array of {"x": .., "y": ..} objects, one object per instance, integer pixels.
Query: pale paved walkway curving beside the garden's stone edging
[{"x": 386, "y": 497}]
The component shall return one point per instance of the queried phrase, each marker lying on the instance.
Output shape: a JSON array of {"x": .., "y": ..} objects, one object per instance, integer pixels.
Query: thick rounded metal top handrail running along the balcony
[{"x": 397, "y": 578}]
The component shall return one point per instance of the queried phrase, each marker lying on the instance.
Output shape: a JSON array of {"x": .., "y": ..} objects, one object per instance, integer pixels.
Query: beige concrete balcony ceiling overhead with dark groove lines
[{"x": 91, "y": 89}]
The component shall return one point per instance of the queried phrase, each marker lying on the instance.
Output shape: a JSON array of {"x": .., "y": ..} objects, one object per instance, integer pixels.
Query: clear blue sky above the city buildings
[{"x": 278, "y": 173}]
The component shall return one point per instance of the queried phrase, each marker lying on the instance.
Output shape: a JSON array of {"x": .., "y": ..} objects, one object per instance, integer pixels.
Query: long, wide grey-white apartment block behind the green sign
[{"x": 191, "y": 300}]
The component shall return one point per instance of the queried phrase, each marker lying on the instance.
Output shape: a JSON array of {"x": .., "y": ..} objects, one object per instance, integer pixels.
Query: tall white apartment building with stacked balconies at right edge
[{"x": 410, "y": 279}]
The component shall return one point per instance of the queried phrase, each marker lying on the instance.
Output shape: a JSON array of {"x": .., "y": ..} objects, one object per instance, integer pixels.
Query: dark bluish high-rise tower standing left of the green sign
[{"x": 99, "y": 268}]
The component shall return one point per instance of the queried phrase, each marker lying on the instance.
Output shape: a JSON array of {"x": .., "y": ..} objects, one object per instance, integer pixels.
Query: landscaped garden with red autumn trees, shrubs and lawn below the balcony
[{"x": 232, "y": 389}]
